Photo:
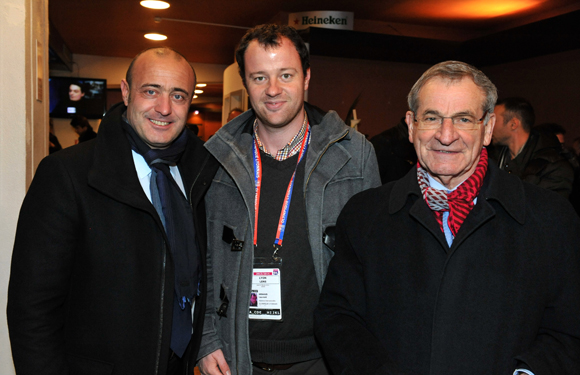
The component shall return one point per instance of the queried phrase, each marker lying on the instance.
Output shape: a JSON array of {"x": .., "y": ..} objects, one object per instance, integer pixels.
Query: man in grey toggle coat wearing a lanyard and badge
[{"x": 287, "y": 170}]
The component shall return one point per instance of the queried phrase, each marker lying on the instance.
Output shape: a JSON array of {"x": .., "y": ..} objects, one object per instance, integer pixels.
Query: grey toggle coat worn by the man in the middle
[{"x": 340, "y": 162}]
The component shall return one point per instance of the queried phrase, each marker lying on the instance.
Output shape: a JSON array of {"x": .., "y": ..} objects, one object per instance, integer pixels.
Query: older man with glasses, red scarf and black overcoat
[{"x": 459, "y": 267}]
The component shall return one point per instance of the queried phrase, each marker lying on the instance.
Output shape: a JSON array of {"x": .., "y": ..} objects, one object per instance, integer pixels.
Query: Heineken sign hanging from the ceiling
[{"x": 327, "y": 19}]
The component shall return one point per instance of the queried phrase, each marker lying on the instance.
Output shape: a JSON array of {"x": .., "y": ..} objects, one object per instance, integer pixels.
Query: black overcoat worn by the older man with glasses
[{"x": 398, "y": 300}]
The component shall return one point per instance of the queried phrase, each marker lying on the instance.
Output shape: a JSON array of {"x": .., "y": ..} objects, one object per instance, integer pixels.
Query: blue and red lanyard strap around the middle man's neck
[{"x": 288, "y": 196}]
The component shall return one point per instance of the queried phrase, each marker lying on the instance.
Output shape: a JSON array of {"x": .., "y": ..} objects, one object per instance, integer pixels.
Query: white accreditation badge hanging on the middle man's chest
[{"x": 266, "y": 293}]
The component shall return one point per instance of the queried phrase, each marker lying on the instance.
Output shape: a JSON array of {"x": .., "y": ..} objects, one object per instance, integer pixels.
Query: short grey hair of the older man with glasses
[{"x": 454, "y": 71}]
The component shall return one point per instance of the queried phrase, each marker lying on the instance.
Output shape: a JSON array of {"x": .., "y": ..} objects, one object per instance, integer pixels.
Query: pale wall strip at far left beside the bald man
[{"x": 23, "y": 127}]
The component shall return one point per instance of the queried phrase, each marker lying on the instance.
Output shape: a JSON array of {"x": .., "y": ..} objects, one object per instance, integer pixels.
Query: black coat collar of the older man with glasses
[{"x": 498, "y": 186}]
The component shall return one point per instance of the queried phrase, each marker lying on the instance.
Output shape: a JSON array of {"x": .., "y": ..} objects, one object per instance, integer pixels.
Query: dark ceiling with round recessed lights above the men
[{"x": 116, "y": 27}]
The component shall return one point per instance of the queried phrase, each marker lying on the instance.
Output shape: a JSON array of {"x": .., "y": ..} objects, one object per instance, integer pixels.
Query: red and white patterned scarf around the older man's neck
[{"x": 459, "y": 202}]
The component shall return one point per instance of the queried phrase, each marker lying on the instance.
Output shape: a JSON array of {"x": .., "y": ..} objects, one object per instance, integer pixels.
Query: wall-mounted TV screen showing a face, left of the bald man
[{"x": 70, "y": 96}]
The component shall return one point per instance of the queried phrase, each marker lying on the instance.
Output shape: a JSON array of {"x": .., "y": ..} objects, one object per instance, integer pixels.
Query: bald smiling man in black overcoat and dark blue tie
[{"x": 108, "y": 269}]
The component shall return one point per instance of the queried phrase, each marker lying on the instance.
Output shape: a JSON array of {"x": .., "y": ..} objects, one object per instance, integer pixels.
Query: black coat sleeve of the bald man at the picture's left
[{"x": 43, "y": 255}]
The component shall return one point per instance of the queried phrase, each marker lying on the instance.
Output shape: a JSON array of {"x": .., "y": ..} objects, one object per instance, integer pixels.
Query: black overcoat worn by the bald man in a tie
[{"x": 92, "y": 279}]
